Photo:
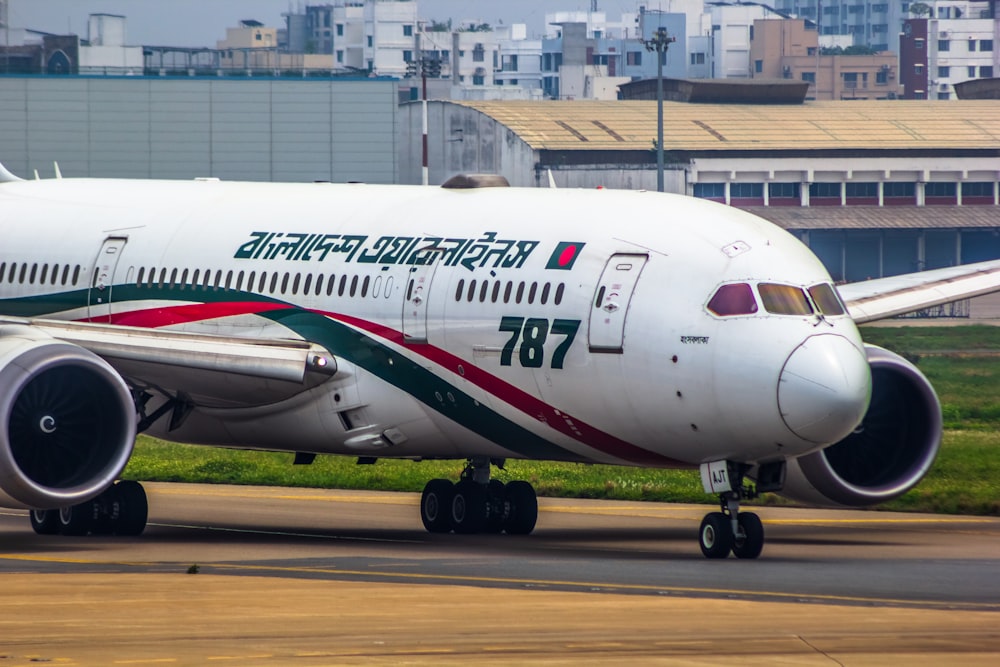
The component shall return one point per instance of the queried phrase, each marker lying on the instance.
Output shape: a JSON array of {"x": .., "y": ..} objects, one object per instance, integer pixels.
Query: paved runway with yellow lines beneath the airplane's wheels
[{"x": 340, "y": 577}]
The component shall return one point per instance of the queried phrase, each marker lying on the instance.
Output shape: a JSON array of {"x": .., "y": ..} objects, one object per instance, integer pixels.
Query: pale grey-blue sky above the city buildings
[{"x": 203, "y": 22}]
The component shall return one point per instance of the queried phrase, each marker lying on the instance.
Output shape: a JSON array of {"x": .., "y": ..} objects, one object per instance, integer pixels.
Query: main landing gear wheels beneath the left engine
[{"x": 121, "y": 510}]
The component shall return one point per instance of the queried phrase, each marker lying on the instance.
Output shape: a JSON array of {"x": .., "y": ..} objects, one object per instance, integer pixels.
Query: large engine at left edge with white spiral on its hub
[{"x": 67, "y": 421}]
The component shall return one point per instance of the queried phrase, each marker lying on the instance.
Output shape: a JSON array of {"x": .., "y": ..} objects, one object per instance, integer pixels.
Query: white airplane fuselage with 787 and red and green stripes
[{"x": 493, "y": 322}]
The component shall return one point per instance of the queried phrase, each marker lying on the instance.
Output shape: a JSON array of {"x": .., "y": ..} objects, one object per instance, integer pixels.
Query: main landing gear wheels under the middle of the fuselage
[{"x": 478, "y": 504}]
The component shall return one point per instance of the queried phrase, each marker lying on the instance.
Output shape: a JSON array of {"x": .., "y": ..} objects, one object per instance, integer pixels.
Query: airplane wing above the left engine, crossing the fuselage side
[{"x": 211, "y": 371}]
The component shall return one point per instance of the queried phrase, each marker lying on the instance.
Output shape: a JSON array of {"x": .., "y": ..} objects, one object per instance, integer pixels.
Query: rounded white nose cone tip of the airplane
[{"x": 824, "y": 388}]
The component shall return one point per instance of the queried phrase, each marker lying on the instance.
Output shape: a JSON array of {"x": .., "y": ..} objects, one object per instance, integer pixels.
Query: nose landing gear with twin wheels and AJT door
[{"x": 730, "y": 530}]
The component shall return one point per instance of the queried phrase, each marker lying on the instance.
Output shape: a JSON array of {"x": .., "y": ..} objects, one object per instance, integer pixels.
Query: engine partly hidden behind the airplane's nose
[{"x": 887, "y": 454}]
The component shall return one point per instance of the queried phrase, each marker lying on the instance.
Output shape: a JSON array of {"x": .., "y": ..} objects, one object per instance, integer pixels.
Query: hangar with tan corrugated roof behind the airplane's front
[{"x": 875, "y": 188}]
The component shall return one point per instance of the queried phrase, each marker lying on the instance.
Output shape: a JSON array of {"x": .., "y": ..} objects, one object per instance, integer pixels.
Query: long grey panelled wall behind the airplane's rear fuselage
[{"x": 245, "y": 129}]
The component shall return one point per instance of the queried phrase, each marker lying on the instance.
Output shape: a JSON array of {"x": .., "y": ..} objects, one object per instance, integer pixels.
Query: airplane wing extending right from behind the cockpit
[{"x": 886, "y": 297}]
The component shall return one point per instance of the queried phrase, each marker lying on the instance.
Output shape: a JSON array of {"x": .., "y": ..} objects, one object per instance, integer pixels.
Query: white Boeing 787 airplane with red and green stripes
[{"x": 469, "y": 321}]
